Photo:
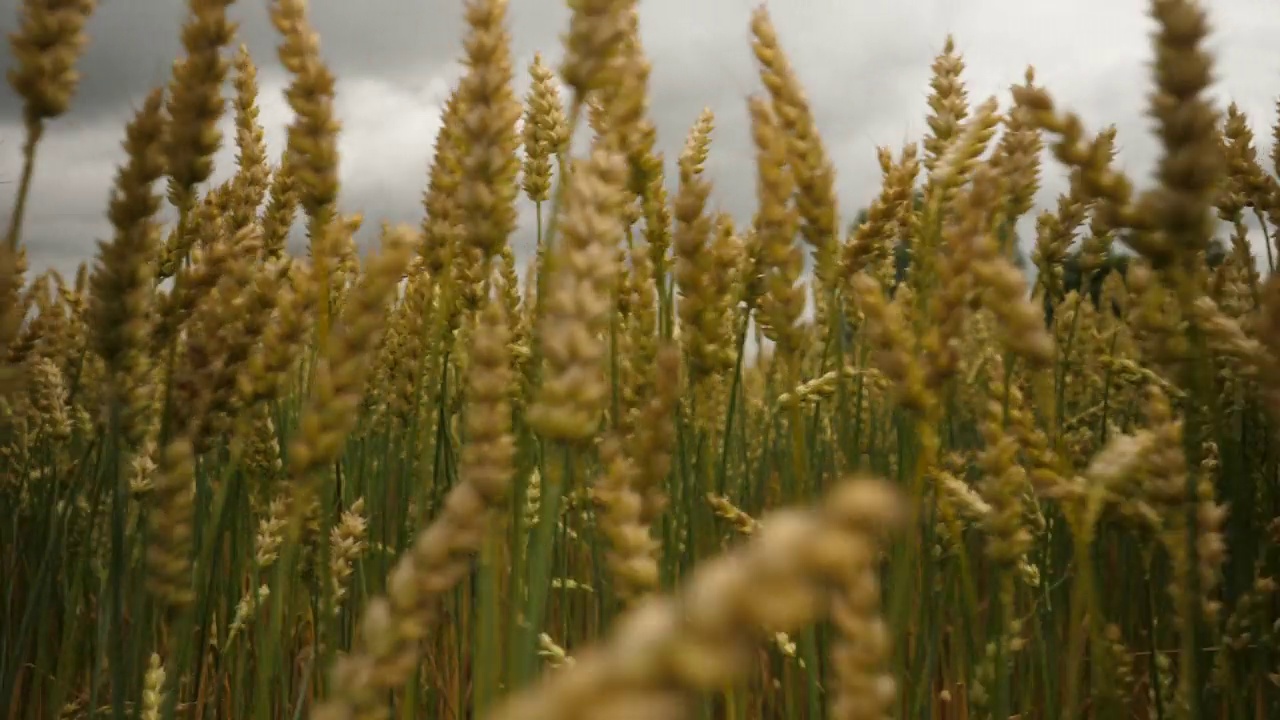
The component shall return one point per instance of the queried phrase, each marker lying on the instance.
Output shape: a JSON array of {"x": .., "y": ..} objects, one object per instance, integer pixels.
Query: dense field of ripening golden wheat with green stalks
[{"x": 423, "y": 484}]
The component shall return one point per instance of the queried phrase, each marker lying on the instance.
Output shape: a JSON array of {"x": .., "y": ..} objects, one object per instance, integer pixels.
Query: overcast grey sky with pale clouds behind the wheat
[{"x": 866, "y": 67}]
